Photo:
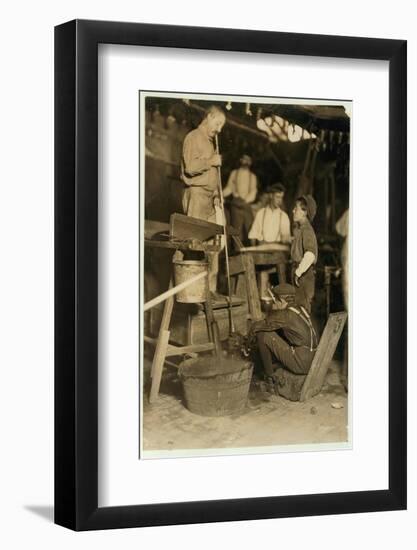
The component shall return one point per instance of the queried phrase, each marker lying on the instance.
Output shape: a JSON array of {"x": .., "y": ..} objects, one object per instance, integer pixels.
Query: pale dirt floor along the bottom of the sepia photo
[{"x": 267, "y": 420}]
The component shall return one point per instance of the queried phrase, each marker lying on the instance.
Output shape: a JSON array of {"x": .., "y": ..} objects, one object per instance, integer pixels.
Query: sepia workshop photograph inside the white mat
[{"x": 244, "y": 274}]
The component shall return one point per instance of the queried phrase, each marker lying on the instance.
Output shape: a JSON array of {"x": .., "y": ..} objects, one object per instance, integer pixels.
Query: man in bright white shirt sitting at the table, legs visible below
[{"x": 271, "y": 225}]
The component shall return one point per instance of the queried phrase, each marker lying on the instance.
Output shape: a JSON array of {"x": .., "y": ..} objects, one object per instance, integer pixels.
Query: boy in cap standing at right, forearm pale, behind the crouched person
[{"x": 304, "y": 250}]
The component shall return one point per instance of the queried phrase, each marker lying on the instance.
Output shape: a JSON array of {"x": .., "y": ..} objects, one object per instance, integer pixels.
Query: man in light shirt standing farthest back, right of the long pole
[{"x": 242, "y": 185}]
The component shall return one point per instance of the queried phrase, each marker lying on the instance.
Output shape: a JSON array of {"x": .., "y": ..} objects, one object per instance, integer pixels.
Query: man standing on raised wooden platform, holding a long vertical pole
[{"x": 199, "y": 172}]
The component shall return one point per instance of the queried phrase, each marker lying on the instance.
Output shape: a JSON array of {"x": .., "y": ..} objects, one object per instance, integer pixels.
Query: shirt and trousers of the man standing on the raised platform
[{"x": 198, "y": 175}]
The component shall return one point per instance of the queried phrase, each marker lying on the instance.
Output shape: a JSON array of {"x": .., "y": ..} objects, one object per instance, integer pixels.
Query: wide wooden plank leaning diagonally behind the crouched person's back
[{"x": 324, "y": 354}]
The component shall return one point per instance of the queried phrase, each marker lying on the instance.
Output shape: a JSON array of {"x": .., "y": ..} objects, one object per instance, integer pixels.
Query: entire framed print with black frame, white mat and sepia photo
[{"x": 230, "y": 275}]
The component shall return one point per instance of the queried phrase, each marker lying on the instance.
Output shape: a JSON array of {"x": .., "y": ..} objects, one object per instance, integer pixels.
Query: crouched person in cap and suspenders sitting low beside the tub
[{"x": 286, "y": 336}]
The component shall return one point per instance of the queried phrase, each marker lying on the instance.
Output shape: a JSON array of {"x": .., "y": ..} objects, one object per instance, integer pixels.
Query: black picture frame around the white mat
[{"x": 76, "y": 272}]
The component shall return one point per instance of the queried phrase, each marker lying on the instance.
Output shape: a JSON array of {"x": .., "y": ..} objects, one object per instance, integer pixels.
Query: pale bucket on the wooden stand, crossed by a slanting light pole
[{"x": 183, "y": 271}]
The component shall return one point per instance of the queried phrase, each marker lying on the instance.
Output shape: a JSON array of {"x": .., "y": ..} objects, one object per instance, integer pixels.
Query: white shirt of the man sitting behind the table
[{"x": 270, "y": 225}]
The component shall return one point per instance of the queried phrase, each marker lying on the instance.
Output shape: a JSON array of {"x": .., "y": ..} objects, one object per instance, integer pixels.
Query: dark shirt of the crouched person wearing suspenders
[{"x": 295, "y": 325}]
